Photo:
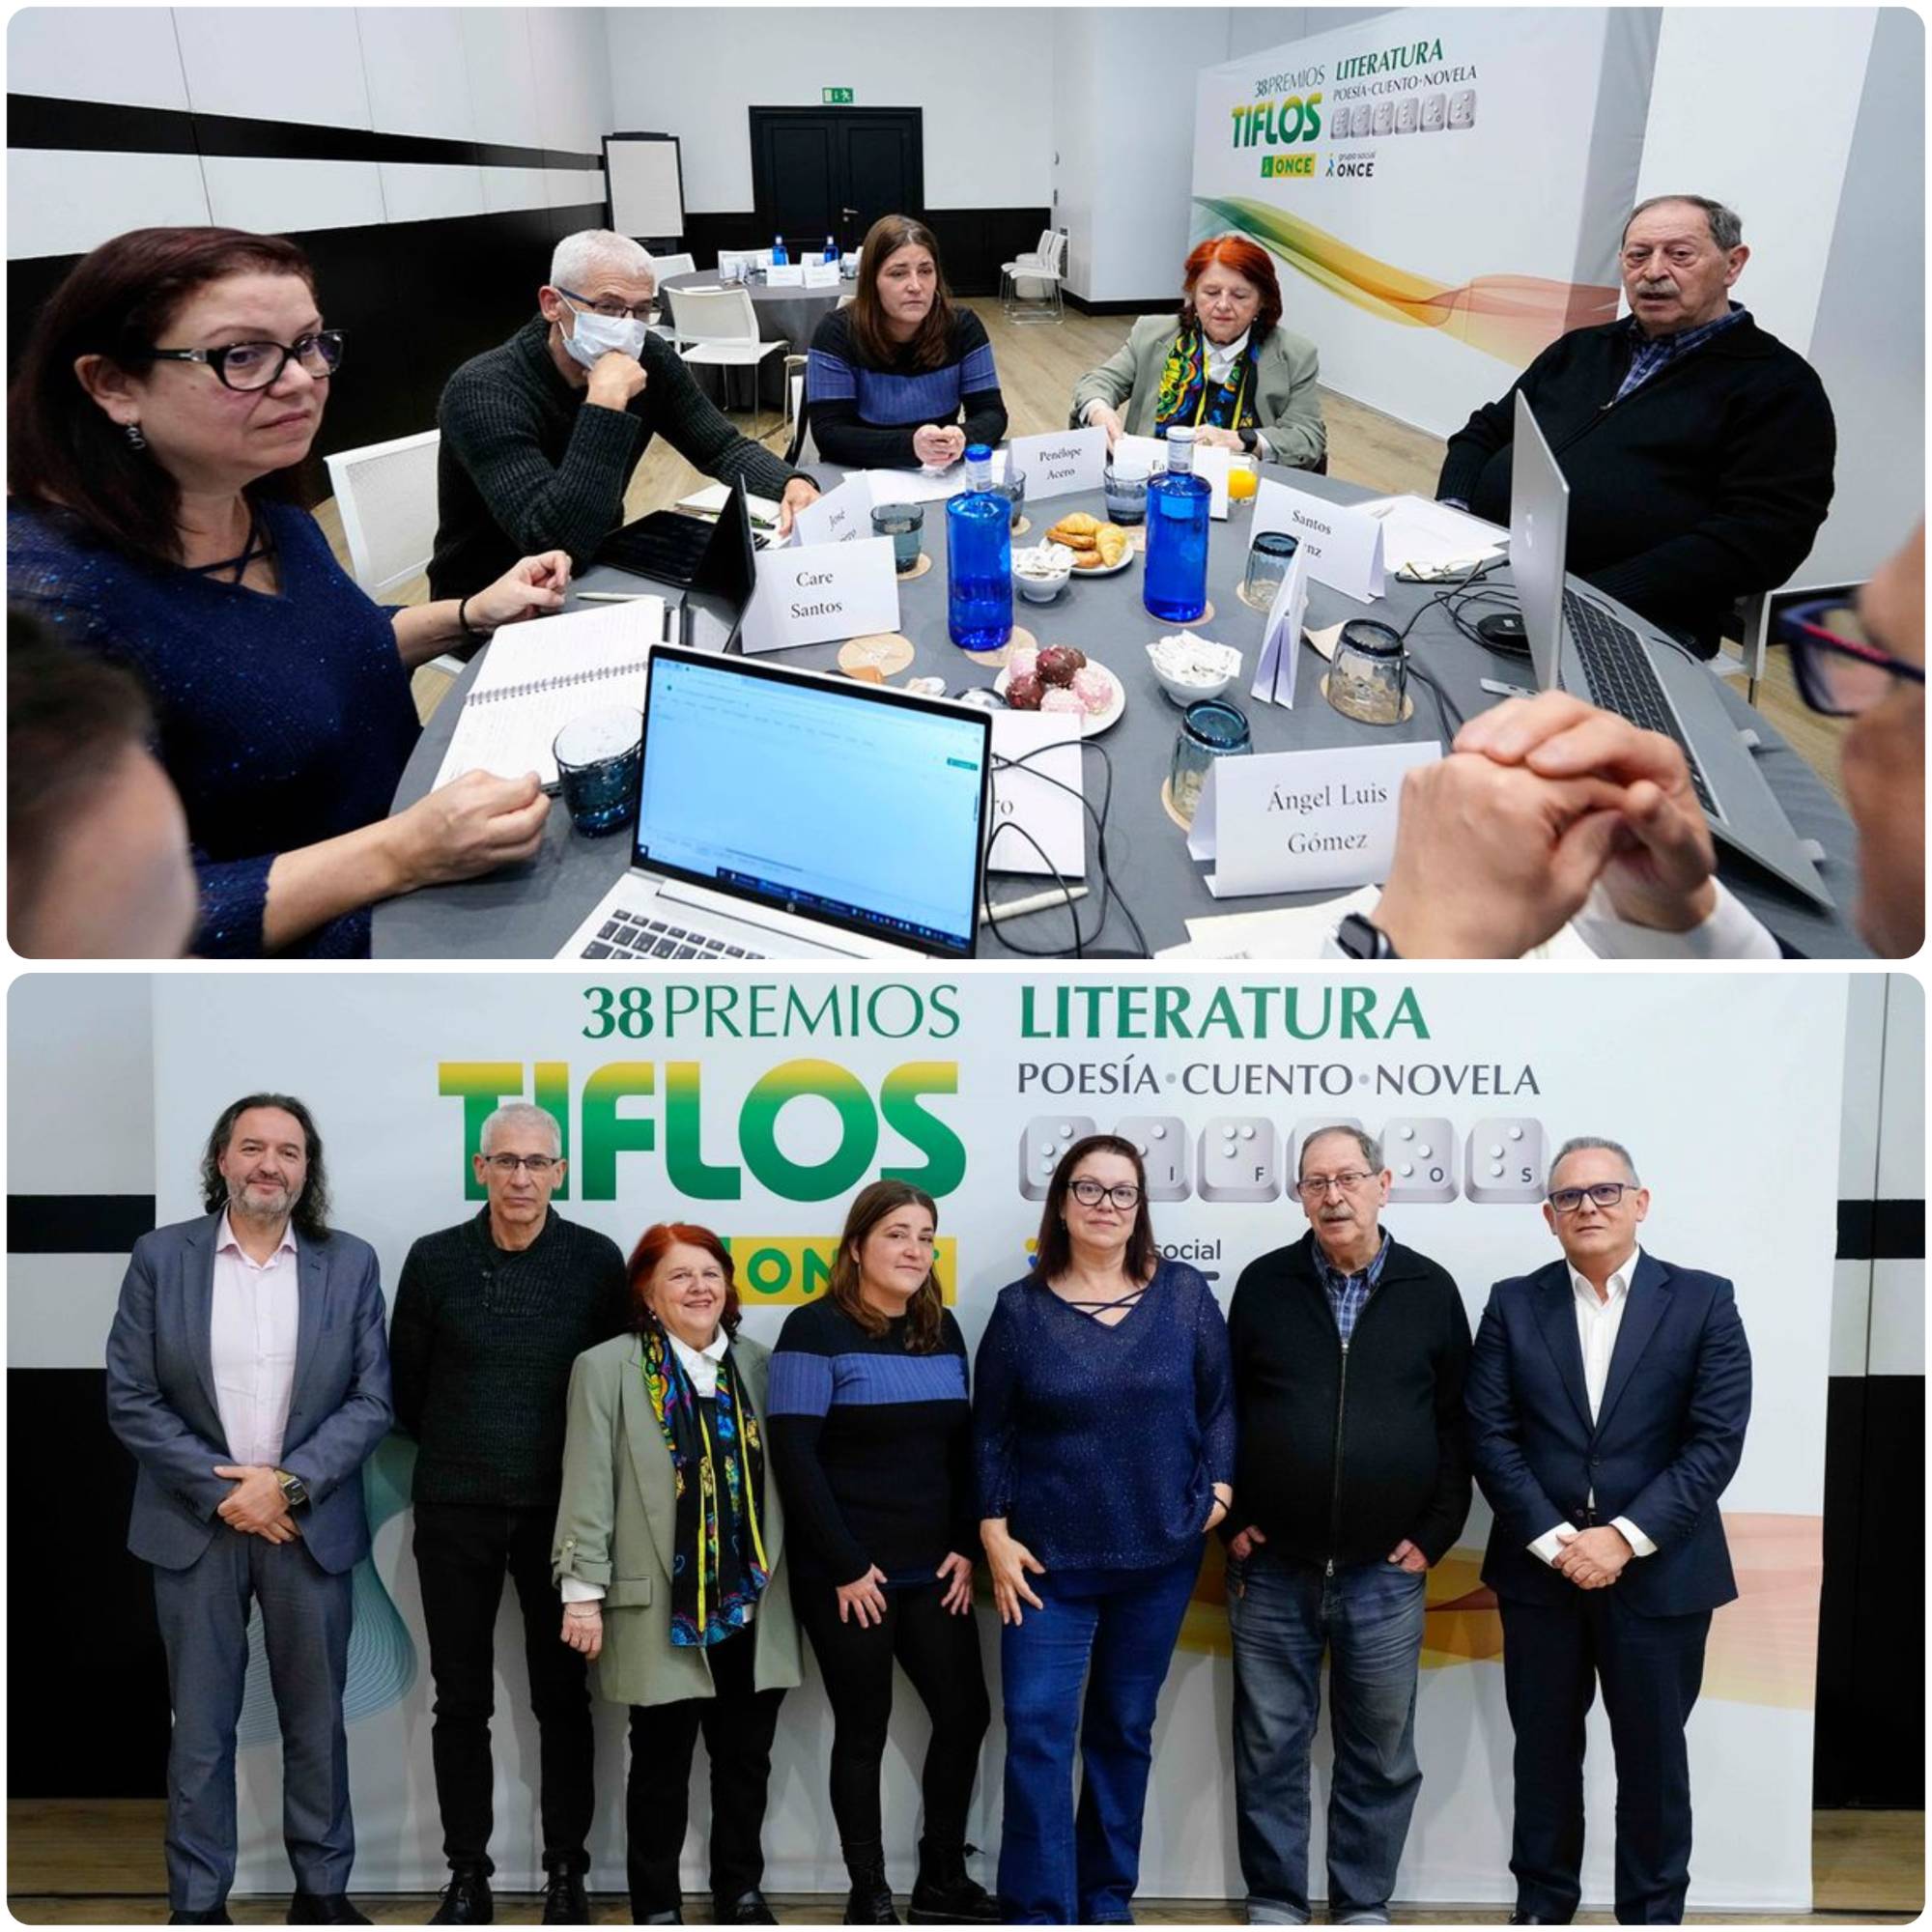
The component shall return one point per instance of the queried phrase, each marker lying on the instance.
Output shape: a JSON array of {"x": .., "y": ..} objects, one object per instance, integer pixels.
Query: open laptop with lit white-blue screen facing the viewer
[{"x": 783, "y": 814}]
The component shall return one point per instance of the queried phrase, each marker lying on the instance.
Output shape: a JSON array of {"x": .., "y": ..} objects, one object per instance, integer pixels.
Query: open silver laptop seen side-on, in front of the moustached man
[{"x": 1577, "y": 646}]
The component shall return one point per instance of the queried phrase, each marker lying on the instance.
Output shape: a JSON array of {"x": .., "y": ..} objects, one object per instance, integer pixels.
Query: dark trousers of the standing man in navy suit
[{"x": 1651, "y": 1668}]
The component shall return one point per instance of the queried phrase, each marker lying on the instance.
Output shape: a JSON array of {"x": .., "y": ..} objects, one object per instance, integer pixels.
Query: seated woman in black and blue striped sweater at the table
[{"x": 901, "y": 378}]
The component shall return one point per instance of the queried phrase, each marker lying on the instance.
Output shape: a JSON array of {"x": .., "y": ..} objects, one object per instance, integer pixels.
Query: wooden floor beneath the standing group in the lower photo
[{"x": 99, "y": 1863}]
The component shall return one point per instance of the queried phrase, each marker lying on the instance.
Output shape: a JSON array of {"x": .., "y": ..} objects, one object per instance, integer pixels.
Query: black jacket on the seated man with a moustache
[{"x": 1705, "y": 486}]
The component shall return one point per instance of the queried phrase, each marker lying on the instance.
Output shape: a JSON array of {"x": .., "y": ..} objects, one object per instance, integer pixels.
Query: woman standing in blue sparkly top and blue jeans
[{"x": 1104, "y": 1433}]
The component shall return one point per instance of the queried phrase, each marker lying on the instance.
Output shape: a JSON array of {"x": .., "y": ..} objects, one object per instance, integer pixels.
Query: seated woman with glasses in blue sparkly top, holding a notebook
[{"x": 165, "y": 399}]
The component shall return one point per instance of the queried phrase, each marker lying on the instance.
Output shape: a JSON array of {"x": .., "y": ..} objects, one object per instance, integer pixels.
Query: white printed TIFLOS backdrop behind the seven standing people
[{"x": 385, "y": 1064}]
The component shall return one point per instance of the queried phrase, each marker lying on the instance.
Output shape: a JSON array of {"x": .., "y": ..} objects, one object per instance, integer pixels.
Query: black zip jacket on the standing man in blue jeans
[{"x": 1344, "y": 1465}]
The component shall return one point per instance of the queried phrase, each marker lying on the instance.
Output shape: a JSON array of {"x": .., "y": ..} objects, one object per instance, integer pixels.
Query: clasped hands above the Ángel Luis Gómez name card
[{"x": 1541, "y": 801}]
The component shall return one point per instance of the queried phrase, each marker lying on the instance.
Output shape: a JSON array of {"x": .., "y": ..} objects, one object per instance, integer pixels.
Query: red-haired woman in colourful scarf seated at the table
[{"x": 1226, "y": 368}]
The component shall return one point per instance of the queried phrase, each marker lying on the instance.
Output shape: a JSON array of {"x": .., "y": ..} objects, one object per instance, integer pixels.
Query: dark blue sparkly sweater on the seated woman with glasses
[{"x": 283, "y": 720}]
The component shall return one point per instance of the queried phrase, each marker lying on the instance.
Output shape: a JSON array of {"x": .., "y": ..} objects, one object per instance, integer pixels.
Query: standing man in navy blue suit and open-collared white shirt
[{"x": 1608, "y": 1398}]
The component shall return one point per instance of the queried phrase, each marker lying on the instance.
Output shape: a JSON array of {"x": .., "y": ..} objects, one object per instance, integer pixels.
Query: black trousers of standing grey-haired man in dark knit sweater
[{"x": 463, "y": 1552}]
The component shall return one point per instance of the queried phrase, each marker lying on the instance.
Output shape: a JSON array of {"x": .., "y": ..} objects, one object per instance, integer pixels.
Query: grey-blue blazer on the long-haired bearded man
[{"x": 161, "y": 1394}]
